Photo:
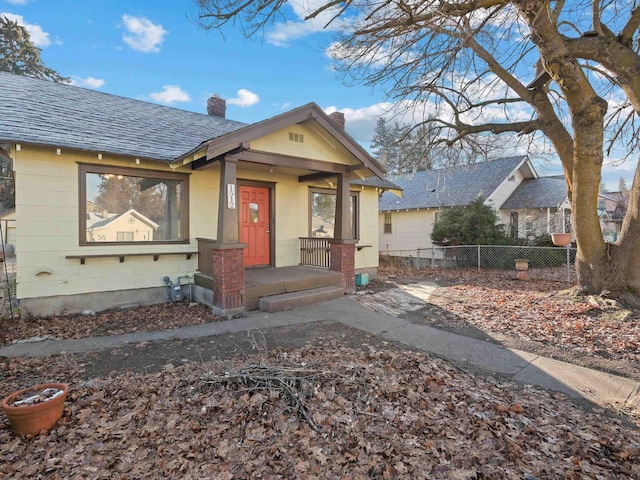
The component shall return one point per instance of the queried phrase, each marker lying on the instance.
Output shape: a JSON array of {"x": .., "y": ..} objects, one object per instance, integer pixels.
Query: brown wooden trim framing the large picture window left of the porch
[{"x": 85, "y": 168}]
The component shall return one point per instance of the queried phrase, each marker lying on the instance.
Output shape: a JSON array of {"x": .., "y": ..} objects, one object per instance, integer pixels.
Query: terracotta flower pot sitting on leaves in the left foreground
[{"x": 32, "y": 418}]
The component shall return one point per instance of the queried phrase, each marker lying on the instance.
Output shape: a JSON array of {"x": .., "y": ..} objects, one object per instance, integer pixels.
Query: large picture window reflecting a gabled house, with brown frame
[{"x": 127, "y": 205}]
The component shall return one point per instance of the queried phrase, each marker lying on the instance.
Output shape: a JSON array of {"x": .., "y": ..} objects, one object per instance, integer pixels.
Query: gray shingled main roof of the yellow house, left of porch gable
[{"x": 47, "y": 113}]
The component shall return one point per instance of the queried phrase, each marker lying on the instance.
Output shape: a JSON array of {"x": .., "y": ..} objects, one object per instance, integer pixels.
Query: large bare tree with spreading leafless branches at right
[{"x": 565, "y": 71}]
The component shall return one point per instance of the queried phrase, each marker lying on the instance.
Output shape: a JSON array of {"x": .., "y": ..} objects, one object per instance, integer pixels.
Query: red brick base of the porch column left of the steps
[{"x": 228, "y": 279}]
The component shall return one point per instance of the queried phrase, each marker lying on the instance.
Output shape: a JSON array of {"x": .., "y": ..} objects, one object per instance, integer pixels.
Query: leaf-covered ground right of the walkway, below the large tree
[{"x": 537, "y": 311}]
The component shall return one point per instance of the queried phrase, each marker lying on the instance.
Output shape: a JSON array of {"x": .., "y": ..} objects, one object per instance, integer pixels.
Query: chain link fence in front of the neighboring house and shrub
[{"x": 545, "y": 263}]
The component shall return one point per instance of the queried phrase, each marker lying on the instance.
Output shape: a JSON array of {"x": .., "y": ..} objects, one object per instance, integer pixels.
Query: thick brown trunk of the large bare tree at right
[{"x": 601, "y": 267}]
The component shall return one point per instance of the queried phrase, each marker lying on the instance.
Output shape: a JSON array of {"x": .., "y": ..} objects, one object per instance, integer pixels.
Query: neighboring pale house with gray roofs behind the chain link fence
[{"x": 527, "y": 204}]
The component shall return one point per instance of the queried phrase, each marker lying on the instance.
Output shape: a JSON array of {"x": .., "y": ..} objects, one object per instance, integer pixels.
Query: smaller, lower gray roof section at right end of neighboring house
[{"x": 542, "y": 192}]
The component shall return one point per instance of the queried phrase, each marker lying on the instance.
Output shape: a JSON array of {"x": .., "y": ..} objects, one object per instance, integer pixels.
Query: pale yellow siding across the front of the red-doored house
[{"x": 47, "y": 206}]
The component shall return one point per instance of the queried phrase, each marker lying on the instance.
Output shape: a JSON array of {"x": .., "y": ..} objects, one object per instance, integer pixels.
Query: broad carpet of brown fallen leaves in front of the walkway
[{"x": 377, "y": 414}]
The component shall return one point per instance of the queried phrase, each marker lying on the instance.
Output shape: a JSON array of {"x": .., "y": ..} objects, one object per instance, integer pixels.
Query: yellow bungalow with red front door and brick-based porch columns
[{"x": 113, "y": 195}]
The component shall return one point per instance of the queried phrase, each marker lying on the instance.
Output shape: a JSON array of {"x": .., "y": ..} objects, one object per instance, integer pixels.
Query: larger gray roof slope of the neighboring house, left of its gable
[{"x": 448, "y": 187}]
